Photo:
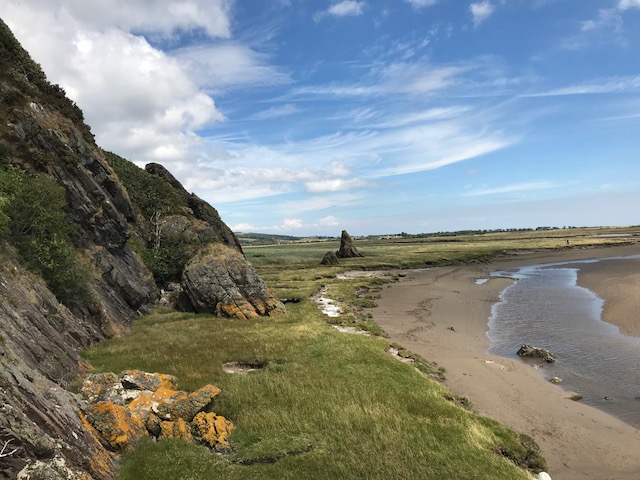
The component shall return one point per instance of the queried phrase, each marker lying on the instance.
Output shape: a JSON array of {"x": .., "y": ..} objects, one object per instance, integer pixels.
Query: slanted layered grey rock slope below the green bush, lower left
[{"x": 38, "y": 359}]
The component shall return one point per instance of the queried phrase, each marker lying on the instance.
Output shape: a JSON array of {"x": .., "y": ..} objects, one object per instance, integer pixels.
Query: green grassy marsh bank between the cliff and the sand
[{"x": 326, "y": 405}]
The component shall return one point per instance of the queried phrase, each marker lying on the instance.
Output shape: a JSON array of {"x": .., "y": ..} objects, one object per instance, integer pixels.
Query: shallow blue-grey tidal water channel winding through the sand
[{"x": 546, "y": 308}]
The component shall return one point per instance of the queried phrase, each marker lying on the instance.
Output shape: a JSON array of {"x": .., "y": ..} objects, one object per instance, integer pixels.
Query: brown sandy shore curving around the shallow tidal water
[{"x": 579, "y": 442}]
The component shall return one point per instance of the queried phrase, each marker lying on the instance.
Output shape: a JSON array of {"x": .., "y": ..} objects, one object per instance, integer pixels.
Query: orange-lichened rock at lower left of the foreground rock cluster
[{"x": 116, "y": 425}]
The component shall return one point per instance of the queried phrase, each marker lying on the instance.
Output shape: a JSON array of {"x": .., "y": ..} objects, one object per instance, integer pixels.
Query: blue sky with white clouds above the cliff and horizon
[{"x": 306, "y": 117}]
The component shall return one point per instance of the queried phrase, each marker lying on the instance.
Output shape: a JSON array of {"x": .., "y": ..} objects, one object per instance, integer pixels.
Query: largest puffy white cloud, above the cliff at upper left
[{"x": 140, "y": 101}]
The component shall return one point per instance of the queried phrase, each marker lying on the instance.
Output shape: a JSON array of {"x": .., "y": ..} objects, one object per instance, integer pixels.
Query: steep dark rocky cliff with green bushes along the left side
[{"x": 44, "y": 320}]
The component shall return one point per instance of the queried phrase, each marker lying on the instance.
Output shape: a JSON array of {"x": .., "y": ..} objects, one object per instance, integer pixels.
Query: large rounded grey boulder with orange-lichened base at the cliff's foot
[{"x": 220, "y": 280}]
